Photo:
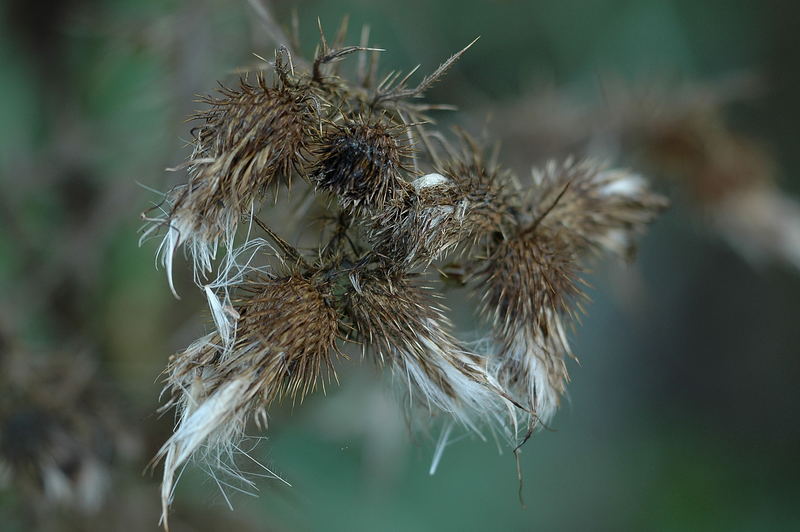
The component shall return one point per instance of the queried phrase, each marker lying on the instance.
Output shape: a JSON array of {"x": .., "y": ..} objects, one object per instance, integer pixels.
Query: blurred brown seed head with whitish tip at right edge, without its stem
[{"x": 729, "y": 176}]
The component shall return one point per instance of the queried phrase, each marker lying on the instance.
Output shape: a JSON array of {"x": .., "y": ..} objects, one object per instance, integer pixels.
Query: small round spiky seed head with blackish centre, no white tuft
[{"x": 361, "y": 160}]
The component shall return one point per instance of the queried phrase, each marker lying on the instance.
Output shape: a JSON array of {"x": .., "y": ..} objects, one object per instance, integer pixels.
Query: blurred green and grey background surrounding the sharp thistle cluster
[{"x": 683, "y": 413}]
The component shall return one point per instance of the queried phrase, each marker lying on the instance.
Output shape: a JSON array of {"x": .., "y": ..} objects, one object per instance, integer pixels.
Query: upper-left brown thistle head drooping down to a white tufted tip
[{"x": 250, "y": 139}]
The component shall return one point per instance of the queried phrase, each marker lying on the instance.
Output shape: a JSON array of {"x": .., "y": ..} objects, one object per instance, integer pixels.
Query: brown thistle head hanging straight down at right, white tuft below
[{"x": 528, "y": 286}]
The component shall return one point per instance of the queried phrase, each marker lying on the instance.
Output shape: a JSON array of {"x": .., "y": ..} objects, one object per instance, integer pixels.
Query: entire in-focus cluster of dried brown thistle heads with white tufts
[{"x": 396, "y": 200}]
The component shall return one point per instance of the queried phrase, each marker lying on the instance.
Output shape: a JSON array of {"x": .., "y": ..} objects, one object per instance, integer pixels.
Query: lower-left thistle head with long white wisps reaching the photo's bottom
[{"x": 284, "y": 336}]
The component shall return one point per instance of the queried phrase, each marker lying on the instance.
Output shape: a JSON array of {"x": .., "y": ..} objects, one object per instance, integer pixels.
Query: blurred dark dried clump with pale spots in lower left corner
[{"x": 60, "y": 433}]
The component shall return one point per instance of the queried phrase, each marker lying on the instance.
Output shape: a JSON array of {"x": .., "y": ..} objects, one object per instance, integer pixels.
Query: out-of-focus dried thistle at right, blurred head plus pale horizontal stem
[{"x": 678, "y": 132}]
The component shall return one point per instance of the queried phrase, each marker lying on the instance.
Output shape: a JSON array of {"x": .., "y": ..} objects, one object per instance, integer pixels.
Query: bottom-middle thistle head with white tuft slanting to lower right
[{"x": 395, "y": 318}]
